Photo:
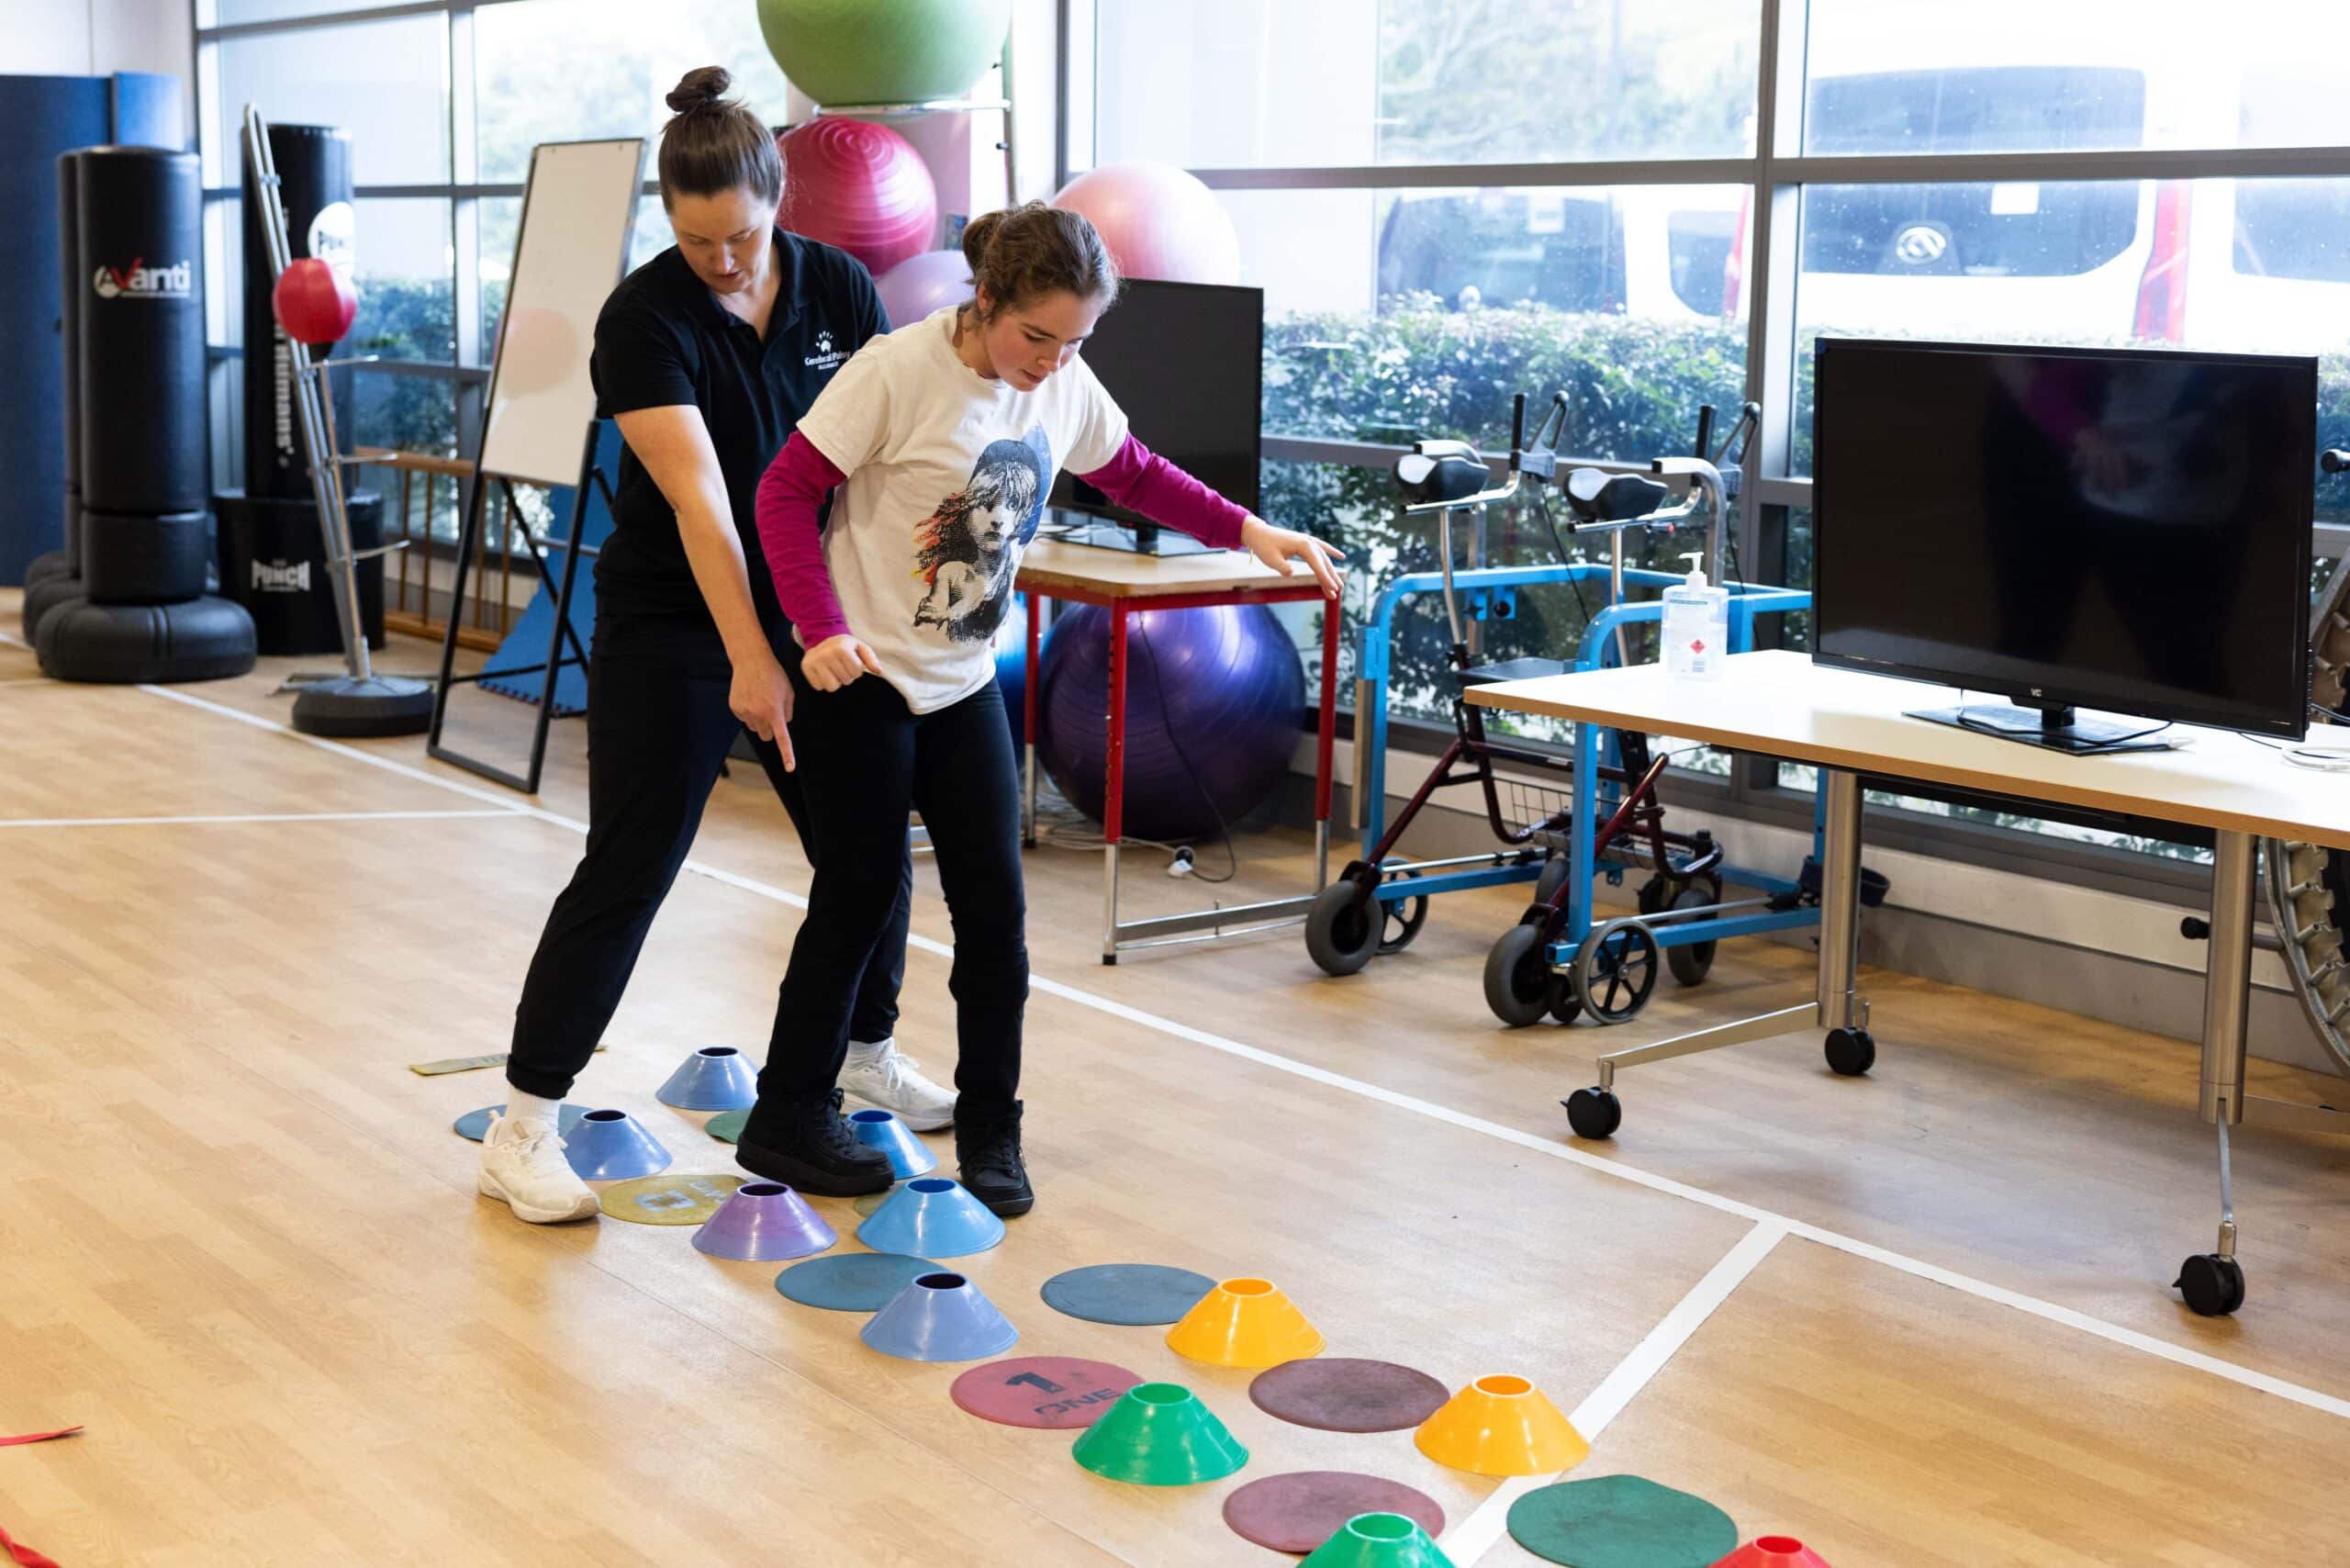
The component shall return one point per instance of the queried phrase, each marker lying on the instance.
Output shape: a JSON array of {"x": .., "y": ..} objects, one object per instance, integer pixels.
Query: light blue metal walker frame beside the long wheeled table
[{"x": 1491, "y": 594}]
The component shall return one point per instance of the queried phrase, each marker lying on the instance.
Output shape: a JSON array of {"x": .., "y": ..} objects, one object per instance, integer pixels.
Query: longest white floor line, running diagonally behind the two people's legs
[{"x": 2050, "y": 1313}]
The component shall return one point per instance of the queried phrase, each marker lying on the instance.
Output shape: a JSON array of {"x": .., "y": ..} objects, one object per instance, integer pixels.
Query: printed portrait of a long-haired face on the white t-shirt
[{"x": 969, "y": 547}]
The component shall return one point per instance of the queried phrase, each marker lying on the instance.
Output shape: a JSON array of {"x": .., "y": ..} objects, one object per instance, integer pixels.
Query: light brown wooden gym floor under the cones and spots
[{"x": 241, "y": 1245}]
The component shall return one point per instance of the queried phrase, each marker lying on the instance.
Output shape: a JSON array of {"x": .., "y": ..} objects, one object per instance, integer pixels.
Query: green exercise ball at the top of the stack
[{"x": 885, "y": 51}]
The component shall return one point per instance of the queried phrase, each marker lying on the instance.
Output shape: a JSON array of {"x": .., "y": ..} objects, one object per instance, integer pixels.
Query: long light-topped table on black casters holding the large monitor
[{"x": 1848, "y": 725}]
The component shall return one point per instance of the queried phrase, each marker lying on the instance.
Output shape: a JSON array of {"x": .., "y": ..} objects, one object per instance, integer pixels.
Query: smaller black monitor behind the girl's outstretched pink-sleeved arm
[{"x": 1188, "y": 366}]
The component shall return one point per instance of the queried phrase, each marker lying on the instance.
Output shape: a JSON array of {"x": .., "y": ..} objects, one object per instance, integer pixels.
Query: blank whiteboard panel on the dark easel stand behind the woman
[{"x": 577, "y": 222}]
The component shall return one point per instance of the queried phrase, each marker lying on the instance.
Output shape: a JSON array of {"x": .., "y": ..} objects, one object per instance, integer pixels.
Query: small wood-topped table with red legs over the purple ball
[{"x": 1122, "y": 584}]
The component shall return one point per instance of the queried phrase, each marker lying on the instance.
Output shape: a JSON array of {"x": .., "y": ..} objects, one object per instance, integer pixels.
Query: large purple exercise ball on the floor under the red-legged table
[{"x": 1214, "y": 706}]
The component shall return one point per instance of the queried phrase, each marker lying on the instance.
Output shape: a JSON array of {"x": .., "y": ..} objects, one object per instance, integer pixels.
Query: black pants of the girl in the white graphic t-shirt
[{"x": 866, "y": 760}]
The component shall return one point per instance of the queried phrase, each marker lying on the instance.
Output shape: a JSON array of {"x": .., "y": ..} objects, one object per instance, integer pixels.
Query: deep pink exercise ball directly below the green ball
[{"x": 861, "y": 187}]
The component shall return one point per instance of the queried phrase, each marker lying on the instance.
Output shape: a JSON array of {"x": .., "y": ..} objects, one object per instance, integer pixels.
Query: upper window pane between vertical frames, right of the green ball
[{"x": 1320, "y": 83}]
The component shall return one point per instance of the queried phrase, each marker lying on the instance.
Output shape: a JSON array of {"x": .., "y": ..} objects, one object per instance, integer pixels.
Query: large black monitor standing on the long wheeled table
[{"x": 2069, "y": 528}]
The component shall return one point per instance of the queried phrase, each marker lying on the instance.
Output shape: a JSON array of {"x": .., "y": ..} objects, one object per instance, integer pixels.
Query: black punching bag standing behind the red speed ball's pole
[{"x": 314, "y": 180}]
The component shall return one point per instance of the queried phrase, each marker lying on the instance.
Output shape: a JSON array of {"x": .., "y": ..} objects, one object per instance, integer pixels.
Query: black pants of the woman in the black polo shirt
[{"x": 659, "y": 728}]
